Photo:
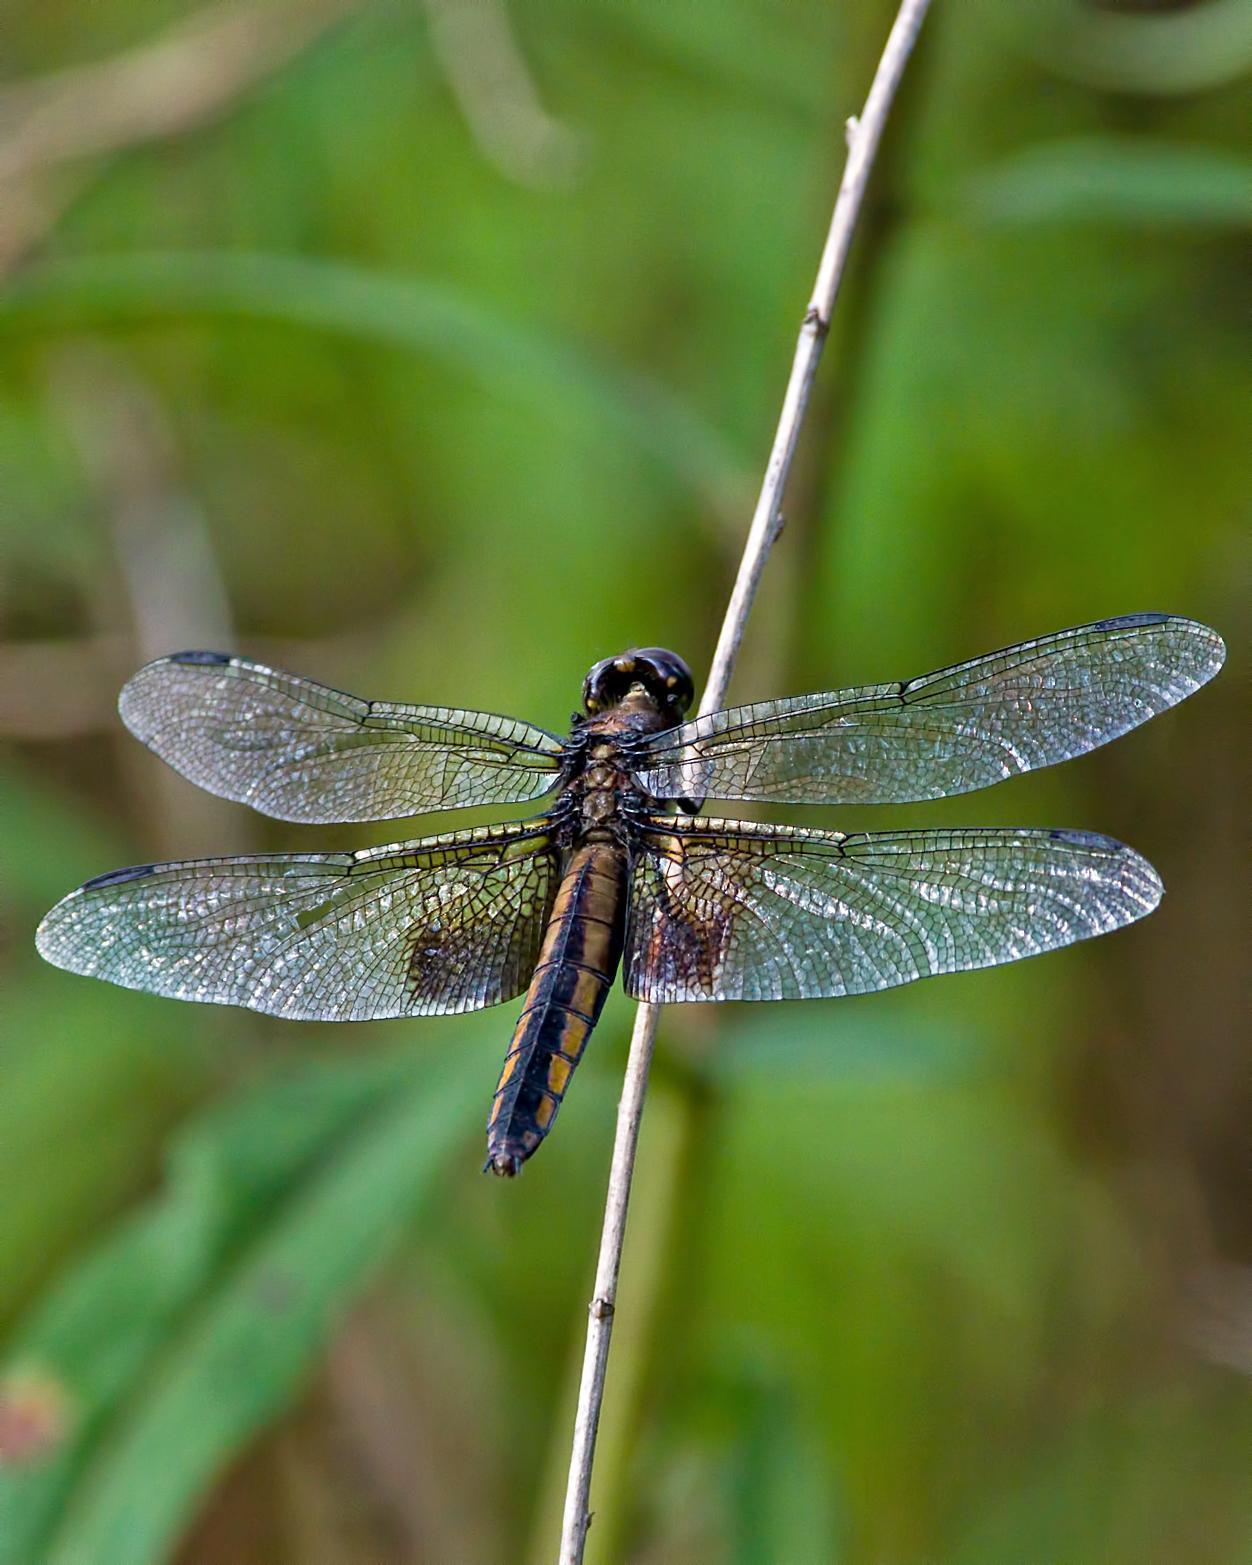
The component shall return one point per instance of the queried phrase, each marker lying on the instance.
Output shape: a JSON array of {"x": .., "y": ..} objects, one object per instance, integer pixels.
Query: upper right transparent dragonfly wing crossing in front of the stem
[{"x": 952, "y": 732}]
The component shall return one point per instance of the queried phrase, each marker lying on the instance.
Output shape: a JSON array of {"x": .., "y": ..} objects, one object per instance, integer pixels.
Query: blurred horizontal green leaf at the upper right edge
[{"x": 1104, "y": 179}]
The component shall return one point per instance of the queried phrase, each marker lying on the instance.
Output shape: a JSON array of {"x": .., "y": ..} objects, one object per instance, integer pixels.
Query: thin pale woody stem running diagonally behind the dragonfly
[{"x": 865, "y": 134}]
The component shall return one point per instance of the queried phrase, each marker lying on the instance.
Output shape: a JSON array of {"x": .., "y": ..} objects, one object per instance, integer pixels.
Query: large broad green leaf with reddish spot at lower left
[{"x": 196, "y": 1325}]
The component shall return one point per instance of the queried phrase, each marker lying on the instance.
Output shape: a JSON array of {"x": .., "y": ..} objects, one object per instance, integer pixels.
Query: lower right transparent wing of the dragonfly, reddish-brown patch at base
[{"x": 736, "y": 912}]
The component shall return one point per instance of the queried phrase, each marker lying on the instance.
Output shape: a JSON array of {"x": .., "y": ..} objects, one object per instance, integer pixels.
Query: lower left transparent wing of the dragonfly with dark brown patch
[{"x": 444, "y": 924}]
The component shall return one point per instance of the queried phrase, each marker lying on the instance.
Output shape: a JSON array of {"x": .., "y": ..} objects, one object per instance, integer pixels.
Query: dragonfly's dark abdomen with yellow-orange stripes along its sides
[{"x": 572, "y": 980}]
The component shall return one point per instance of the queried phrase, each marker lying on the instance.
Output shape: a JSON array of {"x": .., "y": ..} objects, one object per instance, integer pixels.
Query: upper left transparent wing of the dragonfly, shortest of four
[{"x": 304, "y": 752}]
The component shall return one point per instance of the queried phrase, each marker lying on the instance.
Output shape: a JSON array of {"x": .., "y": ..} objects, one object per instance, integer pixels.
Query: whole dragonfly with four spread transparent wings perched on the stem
[{"x": 624, "y": 871}]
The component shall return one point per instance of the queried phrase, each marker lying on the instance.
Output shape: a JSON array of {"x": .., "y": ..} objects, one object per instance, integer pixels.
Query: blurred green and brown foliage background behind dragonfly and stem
[{"x": 434, "y": 351}]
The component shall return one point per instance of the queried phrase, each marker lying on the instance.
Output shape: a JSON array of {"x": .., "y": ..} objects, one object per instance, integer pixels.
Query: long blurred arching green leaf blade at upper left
[{"x": 400, "y": 312}]
